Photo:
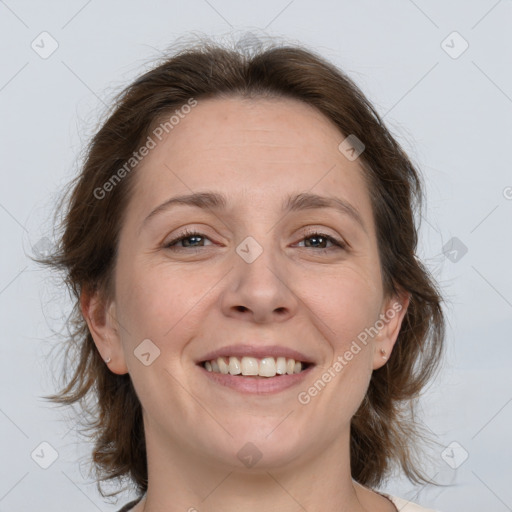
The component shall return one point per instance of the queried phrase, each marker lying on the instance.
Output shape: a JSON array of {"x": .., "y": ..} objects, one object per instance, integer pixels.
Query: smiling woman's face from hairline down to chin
[{"x": 259, "y": 278}]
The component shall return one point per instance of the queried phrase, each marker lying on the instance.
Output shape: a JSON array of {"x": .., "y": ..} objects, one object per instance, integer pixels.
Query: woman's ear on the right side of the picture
[{"x": 391, "y": 317}]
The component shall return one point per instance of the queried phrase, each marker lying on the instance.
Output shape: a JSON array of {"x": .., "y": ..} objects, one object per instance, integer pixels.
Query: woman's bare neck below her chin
[{"x": 180, "y": 479}]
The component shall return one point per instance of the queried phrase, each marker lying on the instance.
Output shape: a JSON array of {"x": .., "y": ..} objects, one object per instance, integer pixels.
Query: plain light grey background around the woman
[{"x": 453, "y": 116}]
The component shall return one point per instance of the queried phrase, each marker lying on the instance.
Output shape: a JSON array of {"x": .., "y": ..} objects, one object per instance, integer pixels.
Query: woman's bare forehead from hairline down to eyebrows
[{"x": 262, "y": 148}]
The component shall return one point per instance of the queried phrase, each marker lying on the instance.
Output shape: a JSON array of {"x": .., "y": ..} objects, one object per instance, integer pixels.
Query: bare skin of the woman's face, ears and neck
[{"x": 188, "y": 302}]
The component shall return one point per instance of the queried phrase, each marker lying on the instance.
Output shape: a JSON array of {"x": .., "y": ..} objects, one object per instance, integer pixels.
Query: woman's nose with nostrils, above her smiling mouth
[{"x": 259, "y": 291}]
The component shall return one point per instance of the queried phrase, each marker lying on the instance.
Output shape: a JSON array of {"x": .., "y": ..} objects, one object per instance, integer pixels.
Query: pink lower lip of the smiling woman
[{"x": 257, "y": 385}]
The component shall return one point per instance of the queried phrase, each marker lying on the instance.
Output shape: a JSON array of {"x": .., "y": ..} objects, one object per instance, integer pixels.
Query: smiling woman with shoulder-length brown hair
[{"x": 250, "y": 313}]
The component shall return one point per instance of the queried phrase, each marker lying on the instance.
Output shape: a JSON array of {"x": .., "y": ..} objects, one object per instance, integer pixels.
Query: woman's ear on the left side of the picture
[{"x": 101, "y": 319}]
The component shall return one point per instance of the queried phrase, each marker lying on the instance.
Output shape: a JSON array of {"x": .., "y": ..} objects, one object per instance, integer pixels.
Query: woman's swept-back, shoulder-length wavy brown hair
[{"x": 384, "y": 431}]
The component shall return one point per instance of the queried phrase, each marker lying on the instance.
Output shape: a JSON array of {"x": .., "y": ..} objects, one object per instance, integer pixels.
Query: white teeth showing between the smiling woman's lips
[{"x": 255, "y": 367}]
